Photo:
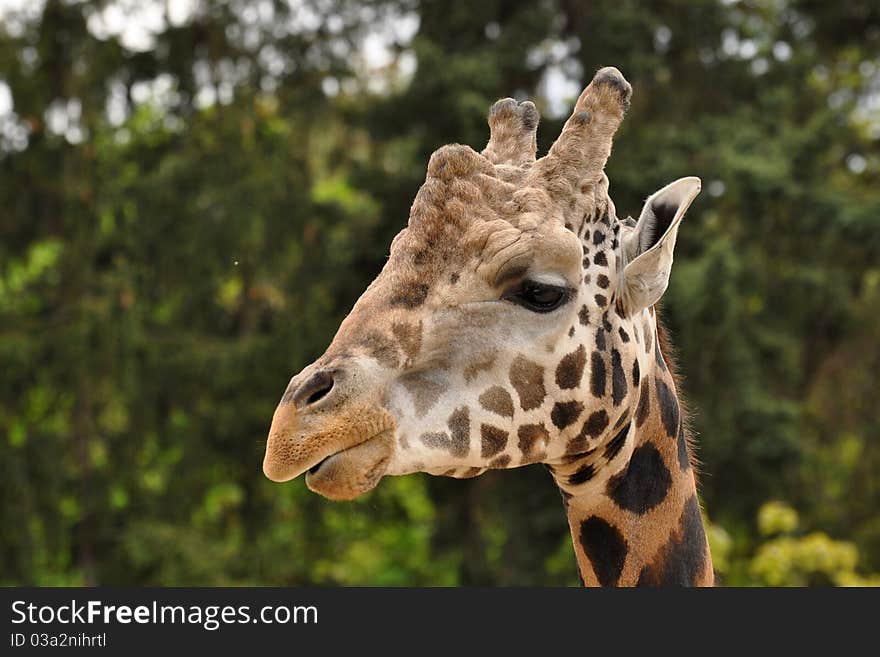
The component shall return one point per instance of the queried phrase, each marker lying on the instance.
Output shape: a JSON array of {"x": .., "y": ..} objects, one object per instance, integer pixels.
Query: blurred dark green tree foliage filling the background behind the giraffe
[{"x": 189, "y": 218}]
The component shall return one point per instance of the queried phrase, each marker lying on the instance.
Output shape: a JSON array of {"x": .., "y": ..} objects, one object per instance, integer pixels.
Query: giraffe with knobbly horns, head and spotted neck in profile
[{"x": 515, "y": 322}]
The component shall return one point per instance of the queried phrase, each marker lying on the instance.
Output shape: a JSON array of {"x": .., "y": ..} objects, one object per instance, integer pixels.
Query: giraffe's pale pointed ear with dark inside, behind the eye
[{"x": 648, "y": 248}]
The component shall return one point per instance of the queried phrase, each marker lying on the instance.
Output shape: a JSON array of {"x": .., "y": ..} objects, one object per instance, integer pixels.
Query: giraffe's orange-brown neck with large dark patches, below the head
[{"x": 642, "y": 524}]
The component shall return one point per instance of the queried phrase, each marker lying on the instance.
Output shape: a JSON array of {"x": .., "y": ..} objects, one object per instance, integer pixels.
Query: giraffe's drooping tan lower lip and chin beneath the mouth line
[{"x": 351, "y": 472}]
